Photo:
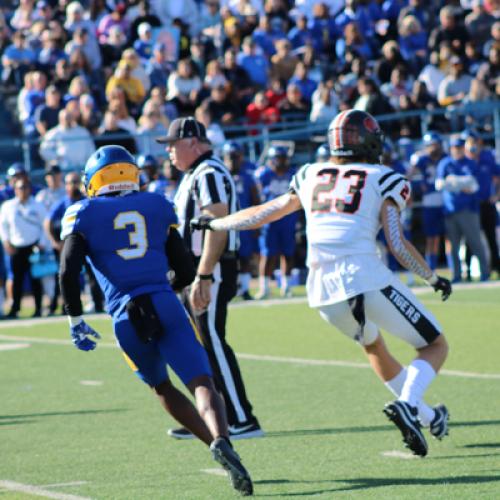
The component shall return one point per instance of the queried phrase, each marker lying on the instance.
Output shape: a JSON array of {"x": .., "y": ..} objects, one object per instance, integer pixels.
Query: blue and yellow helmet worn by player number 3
[{"x": 109, "y": 170}]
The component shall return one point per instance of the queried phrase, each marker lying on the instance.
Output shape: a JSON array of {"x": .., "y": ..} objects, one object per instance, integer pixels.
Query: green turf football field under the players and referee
[{"x": 77, "y": 425}]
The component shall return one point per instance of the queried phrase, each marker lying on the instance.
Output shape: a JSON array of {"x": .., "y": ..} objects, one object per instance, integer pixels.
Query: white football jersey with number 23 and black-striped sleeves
[{"x": 342, "y": 205}]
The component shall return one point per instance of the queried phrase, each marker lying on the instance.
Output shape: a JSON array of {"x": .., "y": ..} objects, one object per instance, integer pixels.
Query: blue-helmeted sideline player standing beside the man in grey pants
[{"x": 425, "y": 164}]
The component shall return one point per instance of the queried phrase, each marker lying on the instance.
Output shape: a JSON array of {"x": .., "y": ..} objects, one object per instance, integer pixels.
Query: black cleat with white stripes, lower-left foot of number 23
[{"x": 405, "y": 417}]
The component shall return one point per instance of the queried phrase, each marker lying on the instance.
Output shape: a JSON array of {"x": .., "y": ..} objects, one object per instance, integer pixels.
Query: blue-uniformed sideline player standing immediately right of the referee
[{"x": 248, "y": 195}]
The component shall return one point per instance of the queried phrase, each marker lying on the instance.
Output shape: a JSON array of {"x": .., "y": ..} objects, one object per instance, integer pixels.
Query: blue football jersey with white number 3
[{"x": 125, "y": 238}]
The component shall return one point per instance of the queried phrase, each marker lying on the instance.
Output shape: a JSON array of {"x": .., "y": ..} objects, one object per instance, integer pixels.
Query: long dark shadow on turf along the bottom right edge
[{"x": 367, "y": 483}]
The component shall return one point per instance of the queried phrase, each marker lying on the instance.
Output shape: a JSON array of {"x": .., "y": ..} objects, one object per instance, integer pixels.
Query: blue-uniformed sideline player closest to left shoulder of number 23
[{"x": 277, "y": 238}]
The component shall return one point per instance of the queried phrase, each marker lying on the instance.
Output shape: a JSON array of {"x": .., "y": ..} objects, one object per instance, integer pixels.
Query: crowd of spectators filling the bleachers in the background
[{"x": 95, "y": 72}]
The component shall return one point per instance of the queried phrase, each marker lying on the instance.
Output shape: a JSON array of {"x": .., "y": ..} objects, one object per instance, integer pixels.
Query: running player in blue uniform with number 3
[{"x": 129, "y": 239}]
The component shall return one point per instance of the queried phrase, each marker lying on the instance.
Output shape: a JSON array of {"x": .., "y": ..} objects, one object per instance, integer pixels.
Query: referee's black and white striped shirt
[{"x": 207, "y": 182}]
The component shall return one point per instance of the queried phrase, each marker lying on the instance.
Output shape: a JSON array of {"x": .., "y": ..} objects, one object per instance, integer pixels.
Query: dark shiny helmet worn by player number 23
[{"x": 355, "y": 134}]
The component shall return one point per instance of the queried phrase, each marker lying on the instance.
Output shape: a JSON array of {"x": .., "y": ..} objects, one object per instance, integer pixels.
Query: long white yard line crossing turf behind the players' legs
[{"x": 264, "y": 357}]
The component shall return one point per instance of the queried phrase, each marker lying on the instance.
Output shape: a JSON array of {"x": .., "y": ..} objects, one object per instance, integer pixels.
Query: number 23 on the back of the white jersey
[{"x": 357, "y": 182}]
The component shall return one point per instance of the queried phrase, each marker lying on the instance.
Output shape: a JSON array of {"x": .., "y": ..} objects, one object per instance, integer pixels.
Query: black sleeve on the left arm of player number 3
[{"x": 72, "y": 261}]
